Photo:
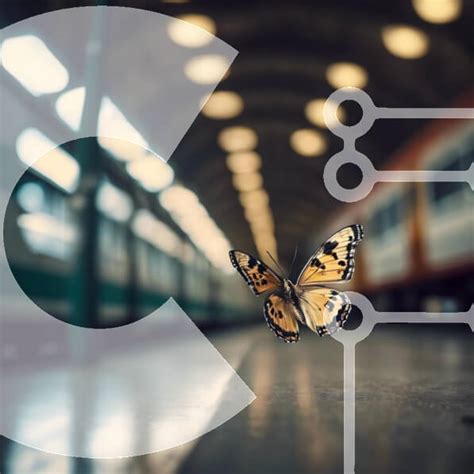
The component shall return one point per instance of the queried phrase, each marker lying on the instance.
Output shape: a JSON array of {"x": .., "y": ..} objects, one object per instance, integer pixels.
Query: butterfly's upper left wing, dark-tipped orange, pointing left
[{"x": 259, "y": 277}]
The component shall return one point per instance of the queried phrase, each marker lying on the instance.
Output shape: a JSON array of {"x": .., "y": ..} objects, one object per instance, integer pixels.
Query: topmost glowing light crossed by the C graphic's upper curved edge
[{"x": 199, "y": 33}]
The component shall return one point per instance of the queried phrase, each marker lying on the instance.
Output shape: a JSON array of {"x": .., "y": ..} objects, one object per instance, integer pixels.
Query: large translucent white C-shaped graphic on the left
[{"x": 90, "y": 65}]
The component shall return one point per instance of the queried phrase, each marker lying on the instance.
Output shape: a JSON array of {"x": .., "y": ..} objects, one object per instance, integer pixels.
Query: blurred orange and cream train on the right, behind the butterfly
[{"x": 418, "y": 250}]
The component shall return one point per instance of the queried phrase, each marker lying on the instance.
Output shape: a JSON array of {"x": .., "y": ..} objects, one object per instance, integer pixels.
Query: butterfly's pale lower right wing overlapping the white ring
[{"x": 325, "y": 310}]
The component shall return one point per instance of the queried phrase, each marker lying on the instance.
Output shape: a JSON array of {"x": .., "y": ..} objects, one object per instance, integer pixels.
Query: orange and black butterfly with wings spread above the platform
[{"x": 323, "y": 310}]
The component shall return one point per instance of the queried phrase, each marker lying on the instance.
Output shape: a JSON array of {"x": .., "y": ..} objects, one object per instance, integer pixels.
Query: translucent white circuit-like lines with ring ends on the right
[{"x": 370, "y": 176}]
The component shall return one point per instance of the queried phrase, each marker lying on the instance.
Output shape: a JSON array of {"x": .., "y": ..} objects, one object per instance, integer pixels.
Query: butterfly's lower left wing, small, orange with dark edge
[{"x": 280, "y": 316}]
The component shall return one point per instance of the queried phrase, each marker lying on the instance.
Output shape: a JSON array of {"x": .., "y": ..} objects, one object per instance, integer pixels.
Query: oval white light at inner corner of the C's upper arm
[{"x": 152, "y": 173}]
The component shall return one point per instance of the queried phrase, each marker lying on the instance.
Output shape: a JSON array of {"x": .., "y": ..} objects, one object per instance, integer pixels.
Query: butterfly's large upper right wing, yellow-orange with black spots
[{"x": 334, "y": 260}]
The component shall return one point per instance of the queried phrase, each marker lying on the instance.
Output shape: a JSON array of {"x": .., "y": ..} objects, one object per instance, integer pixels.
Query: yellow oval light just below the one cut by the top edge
[{"x": 405, "y": 41}]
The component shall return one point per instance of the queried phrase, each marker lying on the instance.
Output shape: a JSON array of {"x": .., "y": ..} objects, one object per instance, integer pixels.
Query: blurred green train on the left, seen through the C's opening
[{"x": 44, "y": 265}]
